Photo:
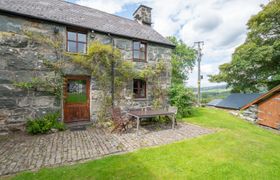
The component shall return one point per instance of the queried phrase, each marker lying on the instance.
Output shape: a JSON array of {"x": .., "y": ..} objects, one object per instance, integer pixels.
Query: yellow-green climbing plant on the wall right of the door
[{"x": 99, "y": 61}]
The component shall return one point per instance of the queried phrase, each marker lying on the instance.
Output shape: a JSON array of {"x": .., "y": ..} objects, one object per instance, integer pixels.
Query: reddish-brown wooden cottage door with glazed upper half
[{"x": 76, "y": 99}]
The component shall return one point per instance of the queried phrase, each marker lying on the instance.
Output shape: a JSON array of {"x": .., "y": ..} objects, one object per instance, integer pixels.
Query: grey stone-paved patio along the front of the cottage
[{"x": 24, "y": 152}]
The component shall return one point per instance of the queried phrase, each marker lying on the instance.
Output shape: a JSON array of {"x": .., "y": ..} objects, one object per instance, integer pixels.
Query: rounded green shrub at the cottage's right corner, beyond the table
[{"x": 182, "y": 98}]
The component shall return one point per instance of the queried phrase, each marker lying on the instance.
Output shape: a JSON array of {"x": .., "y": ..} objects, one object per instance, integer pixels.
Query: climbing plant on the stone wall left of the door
[{"x": 52, "y": 83}]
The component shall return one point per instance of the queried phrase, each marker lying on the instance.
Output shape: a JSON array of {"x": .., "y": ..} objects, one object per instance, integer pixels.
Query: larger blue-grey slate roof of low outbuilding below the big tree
[{"x": 237, "y": 100}]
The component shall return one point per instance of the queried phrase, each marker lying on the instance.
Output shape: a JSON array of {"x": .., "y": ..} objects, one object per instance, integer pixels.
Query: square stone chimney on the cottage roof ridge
[{"x": 143, "y": 15}]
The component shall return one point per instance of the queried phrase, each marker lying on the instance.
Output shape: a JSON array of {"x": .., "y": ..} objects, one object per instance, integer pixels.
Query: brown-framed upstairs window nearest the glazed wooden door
[{"x": 76, "y": 42}]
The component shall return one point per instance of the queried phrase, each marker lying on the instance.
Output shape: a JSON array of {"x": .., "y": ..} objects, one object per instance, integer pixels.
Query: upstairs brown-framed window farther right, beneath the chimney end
[{"x": 139, "y": 51}]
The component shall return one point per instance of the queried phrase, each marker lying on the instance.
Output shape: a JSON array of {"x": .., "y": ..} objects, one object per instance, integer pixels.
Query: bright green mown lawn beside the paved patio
[{"x": 238, "y": 150}]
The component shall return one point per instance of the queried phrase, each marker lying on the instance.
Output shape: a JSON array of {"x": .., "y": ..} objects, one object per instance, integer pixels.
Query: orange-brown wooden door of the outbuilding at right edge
[{"x": 269, "y": 112}]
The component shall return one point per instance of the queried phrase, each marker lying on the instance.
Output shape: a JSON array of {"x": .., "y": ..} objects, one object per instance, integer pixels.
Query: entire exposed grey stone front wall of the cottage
[{"x": 20, "y": 62}]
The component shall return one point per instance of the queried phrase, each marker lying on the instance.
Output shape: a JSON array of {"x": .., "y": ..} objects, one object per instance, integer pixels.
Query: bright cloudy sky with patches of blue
[{"x": 221, "y": 24}]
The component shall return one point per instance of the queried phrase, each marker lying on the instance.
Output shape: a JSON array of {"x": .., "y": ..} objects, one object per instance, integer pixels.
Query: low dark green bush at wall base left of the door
[{"x": 44, "y": 124}]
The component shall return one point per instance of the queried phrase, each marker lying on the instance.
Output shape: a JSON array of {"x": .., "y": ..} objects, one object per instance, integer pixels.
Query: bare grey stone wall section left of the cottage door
[{"x": 20, "y": 63}]
